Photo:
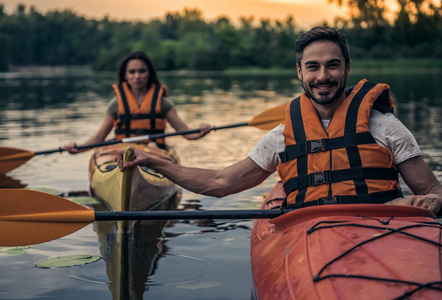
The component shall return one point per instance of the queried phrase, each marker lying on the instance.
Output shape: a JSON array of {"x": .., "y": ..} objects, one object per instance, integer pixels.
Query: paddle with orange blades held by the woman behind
[{"x": 11, "y": 158}]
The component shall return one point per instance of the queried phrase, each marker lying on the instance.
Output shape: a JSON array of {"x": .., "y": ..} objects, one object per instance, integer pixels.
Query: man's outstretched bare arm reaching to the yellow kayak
[{"x": 238, "y": 177}]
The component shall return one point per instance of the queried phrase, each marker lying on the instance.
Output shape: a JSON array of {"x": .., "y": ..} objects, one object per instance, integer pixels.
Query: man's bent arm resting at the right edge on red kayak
[{"x": 422, "y": 182}]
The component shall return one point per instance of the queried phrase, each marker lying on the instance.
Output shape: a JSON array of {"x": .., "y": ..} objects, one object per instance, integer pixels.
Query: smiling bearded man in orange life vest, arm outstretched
[{"x": 337, "y": 145}]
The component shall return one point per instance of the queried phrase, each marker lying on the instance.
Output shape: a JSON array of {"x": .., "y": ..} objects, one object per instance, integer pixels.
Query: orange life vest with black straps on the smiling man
[{"x": 342, "y": 164}]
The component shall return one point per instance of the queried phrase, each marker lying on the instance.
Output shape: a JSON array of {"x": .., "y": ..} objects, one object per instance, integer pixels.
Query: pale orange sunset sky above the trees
[{"x": 305, "y": 12}]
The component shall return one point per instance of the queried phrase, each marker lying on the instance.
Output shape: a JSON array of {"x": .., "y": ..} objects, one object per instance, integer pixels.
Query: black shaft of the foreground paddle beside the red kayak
[{"x": 189, "y": 215}]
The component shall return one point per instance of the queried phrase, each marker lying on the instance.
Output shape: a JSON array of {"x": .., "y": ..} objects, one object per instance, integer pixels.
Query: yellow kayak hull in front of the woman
[{"x": 148, "y": 188}]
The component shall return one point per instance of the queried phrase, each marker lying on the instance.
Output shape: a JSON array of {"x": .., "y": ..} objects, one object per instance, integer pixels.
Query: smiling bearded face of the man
[{"x": 323, "y": 72}]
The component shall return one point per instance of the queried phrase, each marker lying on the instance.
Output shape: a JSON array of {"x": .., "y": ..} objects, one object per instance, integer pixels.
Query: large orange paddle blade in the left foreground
[{"x": 30, "y": 217}]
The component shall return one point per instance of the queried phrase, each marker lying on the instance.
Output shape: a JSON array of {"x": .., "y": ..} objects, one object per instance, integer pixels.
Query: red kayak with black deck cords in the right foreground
[{"x": 355, "y": 251}]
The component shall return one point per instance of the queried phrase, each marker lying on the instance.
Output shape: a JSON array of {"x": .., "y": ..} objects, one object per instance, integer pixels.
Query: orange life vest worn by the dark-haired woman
[{"x": 134, "y": 120}]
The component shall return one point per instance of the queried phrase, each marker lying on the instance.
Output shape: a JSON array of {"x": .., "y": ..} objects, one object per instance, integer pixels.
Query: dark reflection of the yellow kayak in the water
[{"x": 131, "y": 251}]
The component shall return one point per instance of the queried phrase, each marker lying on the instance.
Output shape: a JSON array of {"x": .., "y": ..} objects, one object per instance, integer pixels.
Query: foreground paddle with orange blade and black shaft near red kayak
[{"x": 30, "y": 217}]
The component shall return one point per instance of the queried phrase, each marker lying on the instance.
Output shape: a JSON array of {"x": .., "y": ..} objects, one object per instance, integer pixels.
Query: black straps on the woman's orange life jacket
[{"x": 125, "y": 119}]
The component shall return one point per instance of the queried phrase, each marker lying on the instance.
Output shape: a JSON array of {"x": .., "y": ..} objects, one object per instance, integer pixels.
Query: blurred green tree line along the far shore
[{"x": 184, "y": 40}]
